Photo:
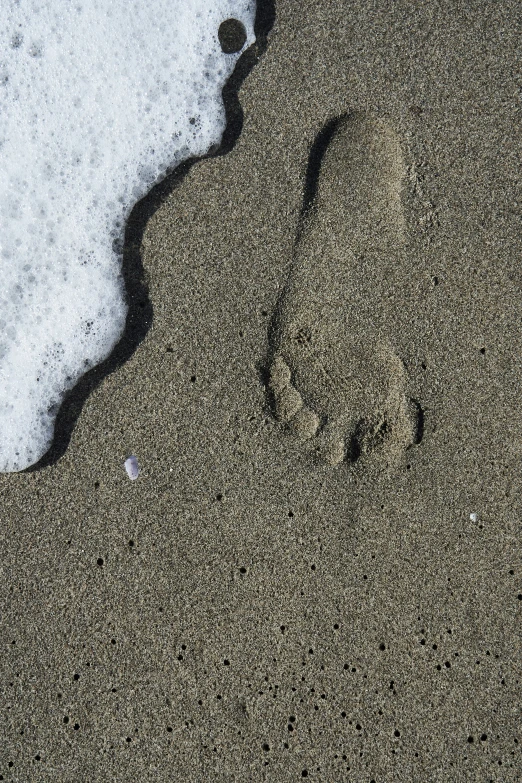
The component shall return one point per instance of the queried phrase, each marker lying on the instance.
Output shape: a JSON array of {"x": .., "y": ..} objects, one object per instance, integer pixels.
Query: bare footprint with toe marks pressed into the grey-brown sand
[{"x": 334, "y": 378}]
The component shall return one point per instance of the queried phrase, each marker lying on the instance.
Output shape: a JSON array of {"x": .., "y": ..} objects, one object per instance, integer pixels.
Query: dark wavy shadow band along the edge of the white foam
[{"x": 140, "y": 310}]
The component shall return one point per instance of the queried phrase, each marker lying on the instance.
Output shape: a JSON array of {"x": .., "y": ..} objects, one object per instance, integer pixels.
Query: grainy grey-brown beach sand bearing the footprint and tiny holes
[{"x": 251, "y": 608}]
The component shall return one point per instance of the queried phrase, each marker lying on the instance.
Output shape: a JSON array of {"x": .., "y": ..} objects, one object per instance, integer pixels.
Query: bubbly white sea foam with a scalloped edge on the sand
[{"x": 98, "y": 98}]
